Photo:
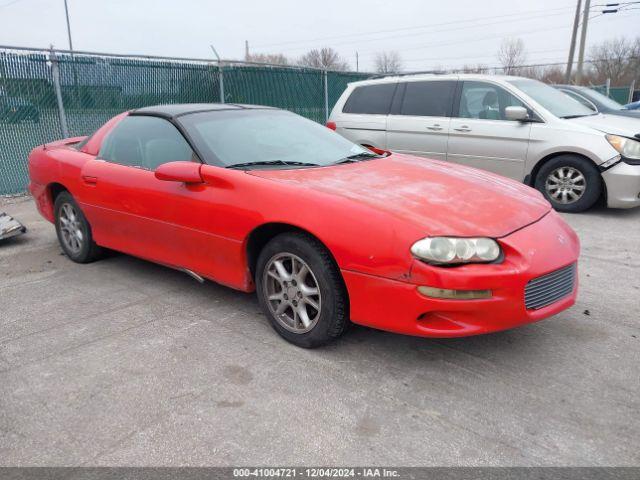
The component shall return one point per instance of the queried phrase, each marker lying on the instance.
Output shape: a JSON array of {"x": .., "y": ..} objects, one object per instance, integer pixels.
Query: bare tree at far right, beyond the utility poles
[{"x": 615, "y": 59}]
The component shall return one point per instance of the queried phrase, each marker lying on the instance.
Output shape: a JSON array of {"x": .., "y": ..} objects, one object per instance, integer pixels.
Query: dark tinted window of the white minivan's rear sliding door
[{"x": 428, "y": 99}]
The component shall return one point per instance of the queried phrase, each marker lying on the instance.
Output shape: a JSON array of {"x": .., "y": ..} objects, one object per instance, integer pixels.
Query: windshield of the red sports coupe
[{"x": 270, "y": 138}]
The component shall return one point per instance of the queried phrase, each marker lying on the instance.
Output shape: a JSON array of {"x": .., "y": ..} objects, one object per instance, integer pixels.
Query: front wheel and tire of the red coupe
[{"x": 326, "y": 312}]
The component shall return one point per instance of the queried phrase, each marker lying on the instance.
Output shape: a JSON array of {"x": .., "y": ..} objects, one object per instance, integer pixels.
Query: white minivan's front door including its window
[{"x": 480, "y": 134}]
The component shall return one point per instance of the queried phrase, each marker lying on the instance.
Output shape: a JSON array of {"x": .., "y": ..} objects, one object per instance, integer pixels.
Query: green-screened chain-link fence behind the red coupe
[{"x": 46, "y": 95}]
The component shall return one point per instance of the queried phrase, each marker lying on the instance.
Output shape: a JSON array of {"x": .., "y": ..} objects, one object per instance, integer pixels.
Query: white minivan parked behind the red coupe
[{"x": 517, "y": 127}]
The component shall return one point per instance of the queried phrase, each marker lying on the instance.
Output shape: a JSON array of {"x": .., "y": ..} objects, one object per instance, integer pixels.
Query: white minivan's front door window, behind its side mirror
[{"x": 485, "y": 101}]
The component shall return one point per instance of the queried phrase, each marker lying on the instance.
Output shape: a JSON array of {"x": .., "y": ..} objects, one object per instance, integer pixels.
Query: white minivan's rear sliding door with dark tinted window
[{"x": 419, "y": 121}]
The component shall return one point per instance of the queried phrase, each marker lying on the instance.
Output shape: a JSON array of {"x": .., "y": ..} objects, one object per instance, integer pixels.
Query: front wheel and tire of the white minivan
[{"x": 570, "y": 183}]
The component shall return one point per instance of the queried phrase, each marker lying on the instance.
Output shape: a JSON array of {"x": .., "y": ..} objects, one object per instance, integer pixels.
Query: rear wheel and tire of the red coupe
[{"x": 74, "y": 231}]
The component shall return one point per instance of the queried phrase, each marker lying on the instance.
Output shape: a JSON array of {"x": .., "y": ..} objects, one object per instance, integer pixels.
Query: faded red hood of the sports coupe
[{"x": 438, "y": 197}]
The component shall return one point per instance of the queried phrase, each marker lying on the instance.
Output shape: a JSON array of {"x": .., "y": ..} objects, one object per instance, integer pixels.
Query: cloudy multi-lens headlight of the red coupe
[{"x": 449, "y": 250}]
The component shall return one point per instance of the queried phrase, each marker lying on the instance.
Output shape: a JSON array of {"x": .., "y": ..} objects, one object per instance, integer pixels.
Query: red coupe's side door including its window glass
[{"x": 130, "y": 210}]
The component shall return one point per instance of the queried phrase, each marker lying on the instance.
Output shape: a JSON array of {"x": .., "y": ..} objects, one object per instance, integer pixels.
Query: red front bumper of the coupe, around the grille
[{"x": 396, "y": 306}]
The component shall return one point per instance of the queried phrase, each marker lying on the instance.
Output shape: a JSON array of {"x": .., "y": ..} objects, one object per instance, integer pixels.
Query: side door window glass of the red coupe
[{"x": 146, "y": 142}]
